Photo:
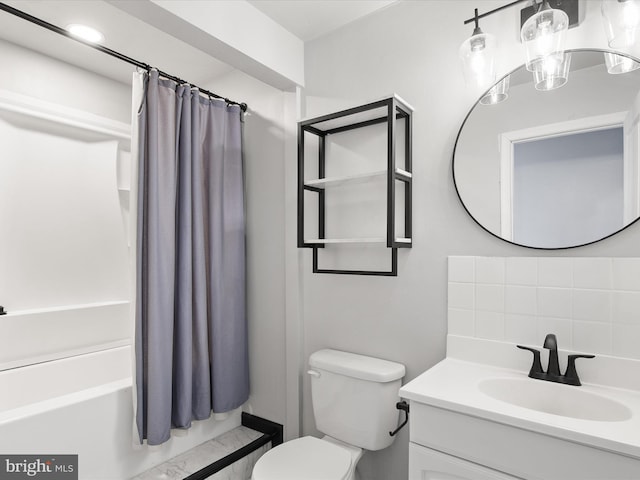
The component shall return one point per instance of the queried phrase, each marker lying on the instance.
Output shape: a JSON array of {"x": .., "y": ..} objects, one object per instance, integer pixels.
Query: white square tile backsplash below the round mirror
[{"x": 591, "y": 304}]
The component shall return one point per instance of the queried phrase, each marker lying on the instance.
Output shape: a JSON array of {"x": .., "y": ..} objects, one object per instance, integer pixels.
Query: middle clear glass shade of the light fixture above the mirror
[{"x": 543, "y": 34}]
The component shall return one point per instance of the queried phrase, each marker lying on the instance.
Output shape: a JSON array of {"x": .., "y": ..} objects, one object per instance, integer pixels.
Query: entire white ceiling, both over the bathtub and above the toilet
[{"x": 124, "y": 33}]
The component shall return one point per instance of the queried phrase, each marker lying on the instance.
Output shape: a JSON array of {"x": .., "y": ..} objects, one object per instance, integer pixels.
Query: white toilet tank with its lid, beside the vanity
[{"x": 354, "y": 397}]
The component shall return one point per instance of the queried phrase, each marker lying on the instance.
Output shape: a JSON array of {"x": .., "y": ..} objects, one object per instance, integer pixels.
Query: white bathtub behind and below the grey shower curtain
[{"x": 83, "y": 405}]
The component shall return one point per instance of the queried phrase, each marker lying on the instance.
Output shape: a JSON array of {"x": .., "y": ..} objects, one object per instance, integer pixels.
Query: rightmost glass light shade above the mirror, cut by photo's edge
[{"x": 621, "y": 22}]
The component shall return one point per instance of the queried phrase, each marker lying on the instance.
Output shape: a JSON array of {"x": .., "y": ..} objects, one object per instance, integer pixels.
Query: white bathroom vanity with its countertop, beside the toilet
[{"x": 459, "y": 433}]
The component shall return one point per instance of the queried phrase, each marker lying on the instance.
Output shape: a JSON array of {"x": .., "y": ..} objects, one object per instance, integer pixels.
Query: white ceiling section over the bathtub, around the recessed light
[{"x": 123, "y": 33}]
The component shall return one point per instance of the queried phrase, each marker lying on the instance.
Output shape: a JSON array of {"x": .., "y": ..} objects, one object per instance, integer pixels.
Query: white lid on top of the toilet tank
[{"x": 356, "y": 366}]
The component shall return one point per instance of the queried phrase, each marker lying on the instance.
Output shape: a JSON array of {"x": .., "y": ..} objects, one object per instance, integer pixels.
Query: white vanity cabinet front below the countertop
[{"x": 462, "y": 446}]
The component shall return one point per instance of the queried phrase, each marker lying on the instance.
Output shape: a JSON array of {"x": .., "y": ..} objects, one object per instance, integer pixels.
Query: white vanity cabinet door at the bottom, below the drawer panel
[{"x": 427, "y": 464}]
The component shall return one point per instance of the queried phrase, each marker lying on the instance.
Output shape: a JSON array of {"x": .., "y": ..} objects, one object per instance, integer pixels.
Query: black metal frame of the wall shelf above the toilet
[{"x": 388, "y": 110}]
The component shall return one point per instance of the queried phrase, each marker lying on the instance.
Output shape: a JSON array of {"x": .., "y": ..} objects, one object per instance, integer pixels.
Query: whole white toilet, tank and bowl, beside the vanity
[{"x": 354, "y": 404}]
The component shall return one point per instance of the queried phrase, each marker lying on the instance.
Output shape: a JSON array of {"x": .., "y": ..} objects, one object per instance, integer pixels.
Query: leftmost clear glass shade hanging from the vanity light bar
[{"x": 478, "y": 59}]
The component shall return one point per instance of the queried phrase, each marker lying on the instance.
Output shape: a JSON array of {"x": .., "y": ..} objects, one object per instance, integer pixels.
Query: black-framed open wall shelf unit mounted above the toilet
[{"x": 337, "y": 154}]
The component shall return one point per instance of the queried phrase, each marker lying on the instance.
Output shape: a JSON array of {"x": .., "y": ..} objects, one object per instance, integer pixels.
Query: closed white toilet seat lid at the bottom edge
[{"x": 306, "y": 458}]
